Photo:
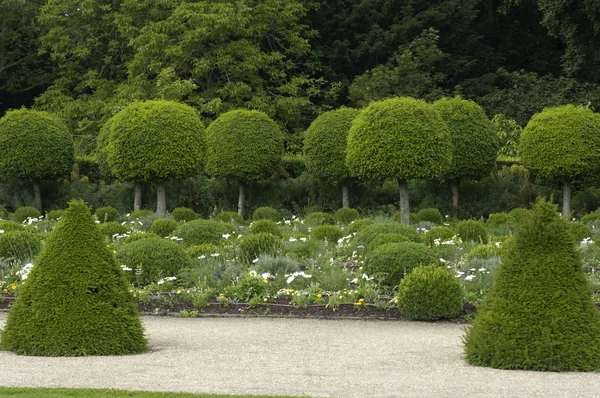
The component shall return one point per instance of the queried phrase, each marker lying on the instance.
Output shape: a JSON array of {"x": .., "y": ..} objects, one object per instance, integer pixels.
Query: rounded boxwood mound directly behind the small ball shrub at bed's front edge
[{"x": 389, "y": 263}]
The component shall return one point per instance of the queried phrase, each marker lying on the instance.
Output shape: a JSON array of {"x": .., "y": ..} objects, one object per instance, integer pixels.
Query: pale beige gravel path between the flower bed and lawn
[{"x": 319, "y": 358}]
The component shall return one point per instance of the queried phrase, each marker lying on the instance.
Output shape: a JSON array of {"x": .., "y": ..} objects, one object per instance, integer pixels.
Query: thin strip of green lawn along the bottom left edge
[{"x": 94, "y": 393}]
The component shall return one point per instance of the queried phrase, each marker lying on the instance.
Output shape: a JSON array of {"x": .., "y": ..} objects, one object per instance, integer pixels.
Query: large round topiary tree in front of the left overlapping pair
[{"x": 156, "y": 141}]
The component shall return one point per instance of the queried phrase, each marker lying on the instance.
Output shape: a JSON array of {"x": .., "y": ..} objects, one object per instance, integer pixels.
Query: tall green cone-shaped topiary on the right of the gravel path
[{"x": 539, "y": 314}]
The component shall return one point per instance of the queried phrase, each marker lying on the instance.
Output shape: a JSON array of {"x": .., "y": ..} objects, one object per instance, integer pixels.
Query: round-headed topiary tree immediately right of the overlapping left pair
[{"x": 243, "y": 146}]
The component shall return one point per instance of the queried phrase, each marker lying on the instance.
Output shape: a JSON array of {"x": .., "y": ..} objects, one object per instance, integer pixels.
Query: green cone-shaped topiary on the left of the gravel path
[{"x": 75, "y": 301}]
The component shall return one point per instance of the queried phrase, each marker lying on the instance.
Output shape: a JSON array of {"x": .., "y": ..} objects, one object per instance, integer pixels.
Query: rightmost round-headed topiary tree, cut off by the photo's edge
[{"x": 562, "y": 143}]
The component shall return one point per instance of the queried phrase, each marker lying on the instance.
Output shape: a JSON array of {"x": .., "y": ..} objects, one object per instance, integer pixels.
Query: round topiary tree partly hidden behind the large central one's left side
[{"x": 325, "y": 148}]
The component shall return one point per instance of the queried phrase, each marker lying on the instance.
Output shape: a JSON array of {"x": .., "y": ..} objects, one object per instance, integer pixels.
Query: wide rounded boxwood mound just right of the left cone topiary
[{"x": 152, "y": 259}]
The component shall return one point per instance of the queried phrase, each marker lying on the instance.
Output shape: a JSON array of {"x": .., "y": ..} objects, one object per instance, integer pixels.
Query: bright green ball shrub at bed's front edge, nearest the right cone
[{"x": 430, "y": 293}]
